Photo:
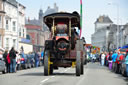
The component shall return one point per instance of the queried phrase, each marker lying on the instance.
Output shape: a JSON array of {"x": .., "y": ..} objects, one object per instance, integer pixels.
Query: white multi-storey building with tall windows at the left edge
[{"x": 12, "y": 24}]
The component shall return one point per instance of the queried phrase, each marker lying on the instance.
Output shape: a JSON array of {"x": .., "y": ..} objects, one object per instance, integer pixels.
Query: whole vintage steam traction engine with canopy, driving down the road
[{"x": 64, "y": 47}]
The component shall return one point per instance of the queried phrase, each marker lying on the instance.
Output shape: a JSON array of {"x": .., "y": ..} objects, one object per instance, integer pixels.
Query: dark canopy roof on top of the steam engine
[{"x": 63, "y": 18}]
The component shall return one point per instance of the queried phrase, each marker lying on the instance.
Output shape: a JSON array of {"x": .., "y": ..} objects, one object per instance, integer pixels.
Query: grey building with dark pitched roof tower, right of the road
[{"x": 106, "y": 36}]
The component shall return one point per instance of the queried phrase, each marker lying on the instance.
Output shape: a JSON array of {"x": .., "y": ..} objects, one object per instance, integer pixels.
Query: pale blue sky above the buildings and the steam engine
[{"x": 92, "y": 9}]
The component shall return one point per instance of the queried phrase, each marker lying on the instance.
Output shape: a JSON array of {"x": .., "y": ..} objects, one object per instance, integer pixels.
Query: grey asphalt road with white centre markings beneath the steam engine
[{"x": 94, "y": 74}]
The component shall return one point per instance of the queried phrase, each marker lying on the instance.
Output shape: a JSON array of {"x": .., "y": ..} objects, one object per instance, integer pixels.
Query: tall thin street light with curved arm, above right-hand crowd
[{"x": 117, "y": 33}]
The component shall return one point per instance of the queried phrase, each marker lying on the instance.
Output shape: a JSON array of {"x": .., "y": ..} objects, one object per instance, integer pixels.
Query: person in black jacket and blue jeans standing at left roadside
[{"x": 12, "y": 55}]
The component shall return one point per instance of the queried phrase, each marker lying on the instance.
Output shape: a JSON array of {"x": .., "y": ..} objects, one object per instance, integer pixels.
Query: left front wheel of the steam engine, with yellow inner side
[{"x": 46, "y": 63}]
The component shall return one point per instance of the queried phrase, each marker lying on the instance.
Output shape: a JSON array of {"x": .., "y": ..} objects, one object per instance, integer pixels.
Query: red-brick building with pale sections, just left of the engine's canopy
[{"x": 36, "y": 36}]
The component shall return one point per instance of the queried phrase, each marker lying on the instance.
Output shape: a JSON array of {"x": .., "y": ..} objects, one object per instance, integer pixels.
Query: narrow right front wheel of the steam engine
[{"x": 78, "y": 64}]
